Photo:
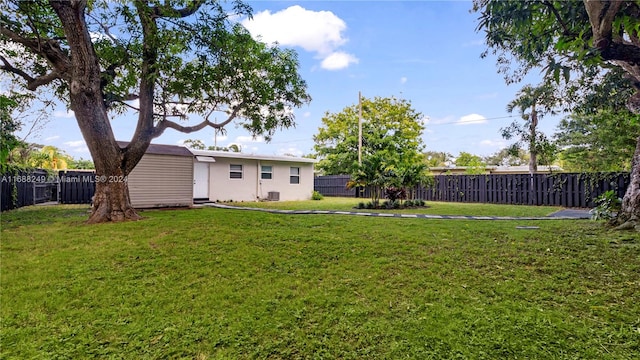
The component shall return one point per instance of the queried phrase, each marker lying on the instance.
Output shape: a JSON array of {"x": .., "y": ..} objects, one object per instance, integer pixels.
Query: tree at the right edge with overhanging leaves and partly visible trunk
[{"x": 569, "y": 40}]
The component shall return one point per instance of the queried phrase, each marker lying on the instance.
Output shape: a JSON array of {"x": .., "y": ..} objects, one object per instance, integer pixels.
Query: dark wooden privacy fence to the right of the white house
[{"x": 559, "y": 189}]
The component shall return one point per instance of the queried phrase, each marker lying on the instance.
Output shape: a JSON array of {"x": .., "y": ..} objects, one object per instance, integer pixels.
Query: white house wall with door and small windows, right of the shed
[{"x": 229, "y": 176}]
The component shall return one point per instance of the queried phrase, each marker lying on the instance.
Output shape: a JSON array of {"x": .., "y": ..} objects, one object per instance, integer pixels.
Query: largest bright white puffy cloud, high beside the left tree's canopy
[{"x": 319, "y": 32}]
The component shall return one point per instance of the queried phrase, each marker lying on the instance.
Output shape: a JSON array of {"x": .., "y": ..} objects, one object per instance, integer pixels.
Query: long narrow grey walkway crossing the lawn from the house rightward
[{"x": 566, "y": 214}]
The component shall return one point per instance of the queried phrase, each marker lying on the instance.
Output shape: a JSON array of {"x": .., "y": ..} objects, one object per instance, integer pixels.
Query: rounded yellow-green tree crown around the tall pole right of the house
[{"x": 391, "y": 129}]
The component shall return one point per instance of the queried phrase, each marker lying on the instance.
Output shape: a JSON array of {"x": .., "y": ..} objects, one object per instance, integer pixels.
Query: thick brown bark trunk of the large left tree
[{"x": 111, "y": 201}]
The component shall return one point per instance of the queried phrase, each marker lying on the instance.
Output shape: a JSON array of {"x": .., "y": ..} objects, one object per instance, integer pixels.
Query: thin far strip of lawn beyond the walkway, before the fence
[{"x": 434, "y": 208}]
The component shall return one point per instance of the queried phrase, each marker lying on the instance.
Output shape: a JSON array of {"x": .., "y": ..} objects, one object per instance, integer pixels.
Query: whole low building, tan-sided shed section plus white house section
[{"x": 174, "y": 176}]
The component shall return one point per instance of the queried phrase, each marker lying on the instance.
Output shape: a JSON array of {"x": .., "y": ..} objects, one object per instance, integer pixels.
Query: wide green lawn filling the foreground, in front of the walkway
[{"x": 227, "y": 284}]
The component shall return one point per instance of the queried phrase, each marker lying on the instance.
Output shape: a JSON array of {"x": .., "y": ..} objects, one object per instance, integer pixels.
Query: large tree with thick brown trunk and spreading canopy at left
[{"x": 168, "y": 61}]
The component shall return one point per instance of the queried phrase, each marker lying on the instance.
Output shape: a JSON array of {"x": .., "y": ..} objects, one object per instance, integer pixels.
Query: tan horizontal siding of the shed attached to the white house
[{"x": 162, "y": 181}]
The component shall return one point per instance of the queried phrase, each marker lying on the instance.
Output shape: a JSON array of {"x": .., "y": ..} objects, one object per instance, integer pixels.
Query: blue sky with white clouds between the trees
[{"x": 427, "y": 52}]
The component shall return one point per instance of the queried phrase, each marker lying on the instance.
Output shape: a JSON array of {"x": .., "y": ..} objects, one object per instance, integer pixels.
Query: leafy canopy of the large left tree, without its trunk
[{"x": 206, "y": 67}]
